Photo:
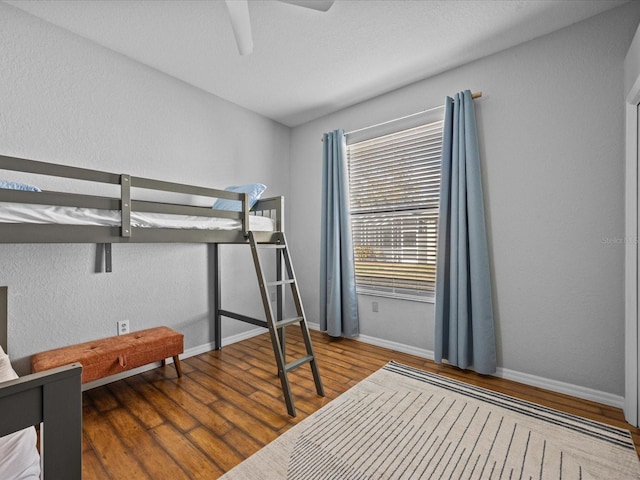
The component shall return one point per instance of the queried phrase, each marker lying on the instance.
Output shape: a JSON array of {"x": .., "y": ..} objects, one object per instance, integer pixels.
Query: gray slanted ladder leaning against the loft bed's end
[{"x": 276, "y": 324}]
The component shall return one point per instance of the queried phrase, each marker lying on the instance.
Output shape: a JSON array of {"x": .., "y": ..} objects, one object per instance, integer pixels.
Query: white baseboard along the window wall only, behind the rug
[{"x": 526, "y": 378}]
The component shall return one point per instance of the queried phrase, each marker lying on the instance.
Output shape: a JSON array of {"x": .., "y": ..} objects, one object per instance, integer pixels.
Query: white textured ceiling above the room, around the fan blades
[{"x": 306, "y": 63}]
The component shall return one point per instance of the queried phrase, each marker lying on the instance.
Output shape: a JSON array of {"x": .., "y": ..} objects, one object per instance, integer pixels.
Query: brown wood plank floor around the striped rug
[{"x": 229, "y": 404}]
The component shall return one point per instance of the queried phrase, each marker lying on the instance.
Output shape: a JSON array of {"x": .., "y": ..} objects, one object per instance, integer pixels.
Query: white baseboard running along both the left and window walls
[{"x": 526, "y": 378}]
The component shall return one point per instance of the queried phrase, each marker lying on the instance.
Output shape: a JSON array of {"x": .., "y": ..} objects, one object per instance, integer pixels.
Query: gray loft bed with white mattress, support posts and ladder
[{"x": 44, "y": 216}]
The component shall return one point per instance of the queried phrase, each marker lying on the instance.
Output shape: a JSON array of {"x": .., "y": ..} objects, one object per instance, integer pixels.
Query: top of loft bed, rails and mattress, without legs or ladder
[{"x": 82, "y": 218}]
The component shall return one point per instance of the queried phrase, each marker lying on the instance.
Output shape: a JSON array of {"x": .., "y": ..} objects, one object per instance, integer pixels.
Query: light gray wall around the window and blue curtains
[{"x": 552, "y": 145}]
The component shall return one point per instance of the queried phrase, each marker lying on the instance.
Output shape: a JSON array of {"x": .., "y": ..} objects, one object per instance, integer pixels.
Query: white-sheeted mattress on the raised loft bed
[{"x": 49, "y": 214}]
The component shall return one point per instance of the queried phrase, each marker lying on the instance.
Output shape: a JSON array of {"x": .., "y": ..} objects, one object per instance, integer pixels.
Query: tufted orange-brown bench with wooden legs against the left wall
[{"x": 108, "y": 356}]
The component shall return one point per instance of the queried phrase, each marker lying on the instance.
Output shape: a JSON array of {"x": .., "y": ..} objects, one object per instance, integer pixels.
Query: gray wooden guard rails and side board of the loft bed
[{"x": 45, "y": 233}]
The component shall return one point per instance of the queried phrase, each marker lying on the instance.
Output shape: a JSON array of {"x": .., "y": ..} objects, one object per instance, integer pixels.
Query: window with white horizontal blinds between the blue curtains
[{"x": 395, "y": 184}]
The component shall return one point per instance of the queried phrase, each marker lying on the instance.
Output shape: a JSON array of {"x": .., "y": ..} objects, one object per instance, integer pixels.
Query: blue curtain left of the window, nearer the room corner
[{"x": 338, "y": 300}]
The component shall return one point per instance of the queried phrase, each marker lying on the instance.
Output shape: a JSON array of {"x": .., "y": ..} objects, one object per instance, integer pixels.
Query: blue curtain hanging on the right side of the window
[{"x": 464, "y": 329}]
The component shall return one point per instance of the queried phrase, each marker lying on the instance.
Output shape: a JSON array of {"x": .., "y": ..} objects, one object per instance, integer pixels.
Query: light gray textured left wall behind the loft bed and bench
[{"x": 66, "y": 100}]
